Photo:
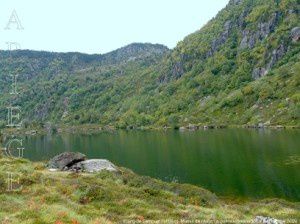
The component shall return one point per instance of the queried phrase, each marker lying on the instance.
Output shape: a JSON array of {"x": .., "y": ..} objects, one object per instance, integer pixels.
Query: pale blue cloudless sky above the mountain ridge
[{"x": 100, "y": 26}]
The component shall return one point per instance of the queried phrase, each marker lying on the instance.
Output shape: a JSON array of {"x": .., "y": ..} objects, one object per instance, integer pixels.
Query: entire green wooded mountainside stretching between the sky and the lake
[{"x": 243, "y": 67}]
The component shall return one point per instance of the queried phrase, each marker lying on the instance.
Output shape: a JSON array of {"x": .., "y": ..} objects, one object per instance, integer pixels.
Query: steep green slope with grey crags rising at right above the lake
[{"x": 242, "y": 67}]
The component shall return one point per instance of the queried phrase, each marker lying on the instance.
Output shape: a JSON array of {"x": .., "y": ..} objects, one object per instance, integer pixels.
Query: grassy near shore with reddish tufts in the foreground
[{"x": 64, "y": 197}]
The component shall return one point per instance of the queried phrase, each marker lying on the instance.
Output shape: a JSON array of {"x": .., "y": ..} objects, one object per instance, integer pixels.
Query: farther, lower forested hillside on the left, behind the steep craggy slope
[{"x": 71, "y": 87}]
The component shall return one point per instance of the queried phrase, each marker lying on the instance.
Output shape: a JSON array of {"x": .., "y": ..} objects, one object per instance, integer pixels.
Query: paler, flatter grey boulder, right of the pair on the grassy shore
[{"x": 94, "y": 165}]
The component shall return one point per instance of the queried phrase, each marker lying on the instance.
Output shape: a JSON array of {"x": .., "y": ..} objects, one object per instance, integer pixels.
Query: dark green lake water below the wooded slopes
[{"x": 239, "y": 163}]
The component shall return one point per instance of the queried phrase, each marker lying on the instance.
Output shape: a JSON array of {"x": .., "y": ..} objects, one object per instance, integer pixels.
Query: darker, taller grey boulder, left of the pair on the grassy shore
[{"x": 65, "y": 160}]
